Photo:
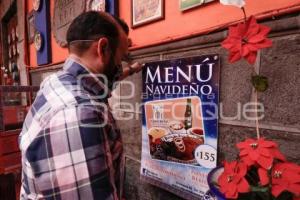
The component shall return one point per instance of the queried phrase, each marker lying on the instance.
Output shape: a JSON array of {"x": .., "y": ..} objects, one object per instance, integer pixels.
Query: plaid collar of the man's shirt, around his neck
[{"x": 88, "y": 80}]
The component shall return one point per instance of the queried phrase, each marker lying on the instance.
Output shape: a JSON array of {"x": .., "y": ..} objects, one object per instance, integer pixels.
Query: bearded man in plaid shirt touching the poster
[{"x": 71, "y": 148}]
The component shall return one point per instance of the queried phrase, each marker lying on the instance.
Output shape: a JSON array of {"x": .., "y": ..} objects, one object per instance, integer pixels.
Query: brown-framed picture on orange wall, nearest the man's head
[{"x": 146, "y": 11}]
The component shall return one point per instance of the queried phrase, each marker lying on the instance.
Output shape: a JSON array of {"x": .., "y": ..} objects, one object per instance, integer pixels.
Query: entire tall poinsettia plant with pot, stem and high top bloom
[{"x": 261, "y": 172}]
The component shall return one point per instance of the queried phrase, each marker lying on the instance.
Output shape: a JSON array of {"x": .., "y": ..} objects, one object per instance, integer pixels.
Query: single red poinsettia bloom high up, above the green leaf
[{"x": 245, "y": 39}]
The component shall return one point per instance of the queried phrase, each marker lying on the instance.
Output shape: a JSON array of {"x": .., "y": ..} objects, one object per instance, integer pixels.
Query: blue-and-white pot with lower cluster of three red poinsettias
[{"x": 260, "y": 172}]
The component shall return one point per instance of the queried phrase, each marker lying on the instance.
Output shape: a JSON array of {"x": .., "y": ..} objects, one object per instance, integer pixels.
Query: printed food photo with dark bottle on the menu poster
[{"x": 175, "y": 129}]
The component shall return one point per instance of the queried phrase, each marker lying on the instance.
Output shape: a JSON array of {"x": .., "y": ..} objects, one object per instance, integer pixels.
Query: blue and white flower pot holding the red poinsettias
[{"x": 212, "y": 178}]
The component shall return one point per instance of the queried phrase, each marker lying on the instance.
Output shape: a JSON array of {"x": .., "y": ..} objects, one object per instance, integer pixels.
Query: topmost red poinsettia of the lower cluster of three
[{"x": 261, "y": 152}]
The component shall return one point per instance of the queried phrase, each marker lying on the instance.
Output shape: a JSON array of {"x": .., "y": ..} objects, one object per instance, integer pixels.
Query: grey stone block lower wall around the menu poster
[{"x": 281, "y": 64}]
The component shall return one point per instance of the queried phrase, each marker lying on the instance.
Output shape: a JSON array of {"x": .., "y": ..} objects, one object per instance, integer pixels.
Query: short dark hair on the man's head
[{"x": 91, "y": 25}]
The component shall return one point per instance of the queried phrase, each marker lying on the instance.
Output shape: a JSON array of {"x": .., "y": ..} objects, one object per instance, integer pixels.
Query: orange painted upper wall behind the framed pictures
[{"x": 177, "y": 24}]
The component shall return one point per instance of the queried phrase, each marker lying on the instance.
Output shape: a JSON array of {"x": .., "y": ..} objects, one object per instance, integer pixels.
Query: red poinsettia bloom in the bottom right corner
[{"x": 286, "y": 177}]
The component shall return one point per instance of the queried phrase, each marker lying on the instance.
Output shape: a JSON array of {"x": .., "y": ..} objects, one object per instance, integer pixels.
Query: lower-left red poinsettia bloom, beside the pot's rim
[{"x": 232, "y": 181}]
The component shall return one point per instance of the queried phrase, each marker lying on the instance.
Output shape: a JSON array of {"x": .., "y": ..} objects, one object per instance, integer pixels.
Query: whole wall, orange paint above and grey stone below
[{"x": 279, "y": 63}]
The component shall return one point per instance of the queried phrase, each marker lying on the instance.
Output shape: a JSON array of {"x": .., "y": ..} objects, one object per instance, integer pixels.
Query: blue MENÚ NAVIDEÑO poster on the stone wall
[{"x": 180, "y": 124}]
